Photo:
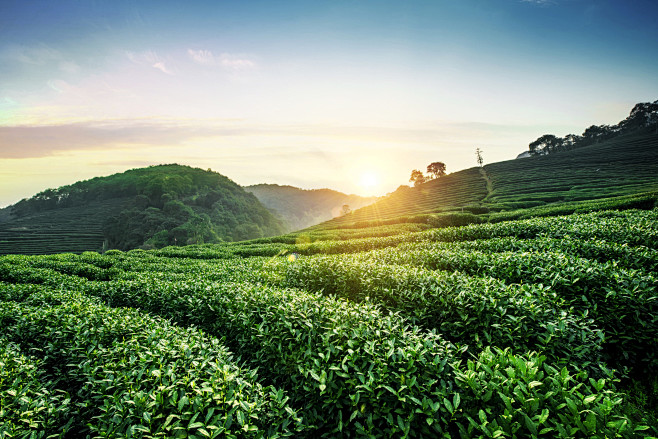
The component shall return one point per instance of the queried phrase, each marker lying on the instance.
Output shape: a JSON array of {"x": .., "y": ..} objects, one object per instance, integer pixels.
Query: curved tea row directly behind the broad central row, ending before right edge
[{"x": 477, "y": 311}]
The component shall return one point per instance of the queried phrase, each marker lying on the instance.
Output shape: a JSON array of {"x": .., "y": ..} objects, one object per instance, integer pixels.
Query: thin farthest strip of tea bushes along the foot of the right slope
[{"x": 632, "y": 227}]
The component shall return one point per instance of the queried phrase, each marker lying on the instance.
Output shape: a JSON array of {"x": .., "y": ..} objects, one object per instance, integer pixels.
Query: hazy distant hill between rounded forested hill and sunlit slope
[{"x": 301, "y": 208}]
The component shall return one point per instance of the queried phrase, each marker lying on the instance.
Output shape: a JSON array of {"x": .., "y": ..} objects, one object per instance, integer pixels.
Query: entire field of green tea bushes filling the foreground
[{"x": 543, "y": 327}]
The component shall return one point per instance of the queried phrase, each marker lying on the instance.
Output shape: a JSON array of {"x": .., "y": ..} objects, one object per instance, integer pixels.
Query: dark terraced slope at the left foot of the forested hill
[{"x": 67, "y": 230}]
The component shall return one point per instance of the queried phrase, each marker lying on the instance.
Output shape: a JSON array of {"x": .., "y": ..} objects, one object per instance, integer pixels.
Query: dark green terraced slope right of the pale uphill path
[{"x": 621, "y": 166}]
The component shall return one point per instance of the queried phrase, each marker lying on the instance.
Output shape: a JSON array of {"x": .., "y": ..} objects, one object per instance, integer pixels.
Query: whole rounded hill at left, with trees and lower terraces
[{"x": 148, "y": 207}]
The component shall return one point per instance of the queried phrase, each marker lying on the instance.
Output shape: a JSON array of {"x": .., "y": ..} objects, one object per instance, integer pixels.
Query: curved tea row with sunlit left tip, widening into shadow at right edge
[{"x": 623, "y": 302}]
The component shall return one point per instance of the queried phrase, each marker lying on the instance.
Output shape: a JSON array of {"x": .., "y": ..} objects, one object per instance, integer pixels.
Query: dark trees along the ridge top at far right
[{"x": 643, "y": 116}]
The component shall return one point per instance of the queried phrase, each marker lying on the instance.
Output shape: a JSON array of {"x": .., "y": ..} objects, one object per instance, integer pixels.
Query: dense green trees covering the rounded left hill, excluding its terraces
[{"x": 165, "y": 205}]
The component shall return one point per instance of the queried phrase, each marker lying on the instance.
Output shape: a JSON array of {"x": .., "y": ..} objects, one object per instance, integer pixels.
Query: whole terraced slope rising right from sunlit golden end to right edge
[{"x": 620, "y": 167}]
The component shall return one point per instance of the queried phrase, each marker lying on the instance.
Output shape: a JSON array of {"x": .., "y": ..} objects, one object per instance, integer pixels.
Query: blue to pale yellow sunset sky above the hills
[{"x": 346, "y": 94}]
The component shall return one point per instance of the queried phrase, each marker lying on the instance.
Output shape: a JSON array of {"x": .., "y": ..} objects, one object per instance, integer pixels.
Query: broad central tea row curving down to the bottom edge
[{"x": 338, "y": 360}]
